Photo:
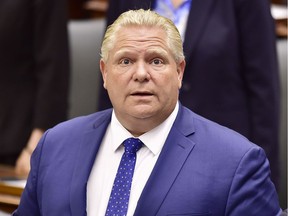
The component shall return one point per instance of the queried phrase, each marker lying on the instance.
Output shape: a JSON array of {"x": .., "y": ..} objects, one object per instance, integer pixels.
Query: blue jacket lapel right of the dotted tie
[{"x": 172, "y": 158}]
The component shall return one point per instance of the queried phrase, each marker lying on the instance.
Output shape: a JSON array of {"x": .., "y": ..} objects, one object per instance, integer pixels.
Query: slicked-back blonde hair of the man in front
[{"x": 143, "y": 18}]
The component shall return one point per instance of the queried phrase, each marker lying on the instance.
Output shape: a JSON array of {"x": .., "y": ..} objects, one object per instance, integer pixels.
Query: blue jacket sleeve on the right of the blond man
[{"x": 252, "y": 192}]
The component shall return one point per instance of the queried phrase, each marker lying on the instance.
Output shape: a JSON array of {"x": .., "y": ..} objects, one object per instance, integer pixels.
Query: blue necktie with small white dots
[{"x": 119, "y": 197}]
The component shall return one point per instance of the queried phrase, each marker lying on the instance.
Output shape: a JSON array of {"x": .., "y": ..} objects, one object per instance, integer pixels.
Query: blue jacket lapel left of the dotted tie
[{"x": 84, "y": 162}]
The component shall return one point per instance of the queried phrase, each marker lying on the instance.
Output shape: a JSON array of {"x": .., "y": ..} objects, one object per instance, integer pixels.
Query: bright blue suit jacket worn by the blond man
[{"x": 203, "y": 169}]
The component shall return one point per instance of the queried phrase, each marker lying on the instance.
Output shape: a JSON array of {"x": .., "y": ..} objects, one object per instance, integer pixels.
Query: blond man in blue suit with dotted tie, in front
[{"x": 187, "y": 165}]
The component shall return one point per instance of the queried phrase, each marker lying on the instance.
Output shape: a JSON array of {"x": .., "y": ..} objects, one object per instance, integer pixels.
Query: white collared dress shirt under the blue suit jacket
[{"x": 105, "y": 167}]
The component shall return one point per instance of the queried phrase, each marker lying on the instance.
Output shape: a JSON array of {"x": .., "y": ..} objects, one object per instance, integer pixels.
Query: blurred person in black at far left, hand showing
[{"x": 34, "y": 70}]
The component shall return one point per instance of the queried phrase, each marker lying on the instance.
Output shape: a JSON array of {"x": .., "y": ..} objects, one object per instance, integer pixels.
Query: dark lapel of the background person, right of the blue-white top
[{"x": 196, "y": 24}]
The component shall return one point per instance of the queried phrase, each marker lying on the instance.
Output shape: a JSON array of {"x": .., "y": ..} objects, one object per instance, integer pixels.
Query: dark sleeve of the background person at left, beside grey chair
[{"x": 51, "y": 56}]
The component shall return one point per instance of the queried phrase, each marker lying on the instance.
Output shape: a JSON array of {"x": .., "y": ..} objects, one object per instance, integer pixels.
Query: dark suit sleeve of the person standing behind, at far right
[{"x": 260, "y": 71}]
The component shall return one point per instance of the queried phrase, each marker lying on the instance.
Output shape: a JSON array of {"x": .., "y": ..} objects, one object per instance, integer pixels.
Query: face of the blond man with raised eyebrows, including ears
[{"x": 141, "y": 76}]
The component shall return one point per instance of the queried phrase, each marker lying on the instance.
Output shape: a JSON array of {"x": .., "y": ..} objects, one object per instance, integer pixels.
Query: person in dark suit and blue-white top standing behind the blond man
[{"x": 231, "y": 75}]
